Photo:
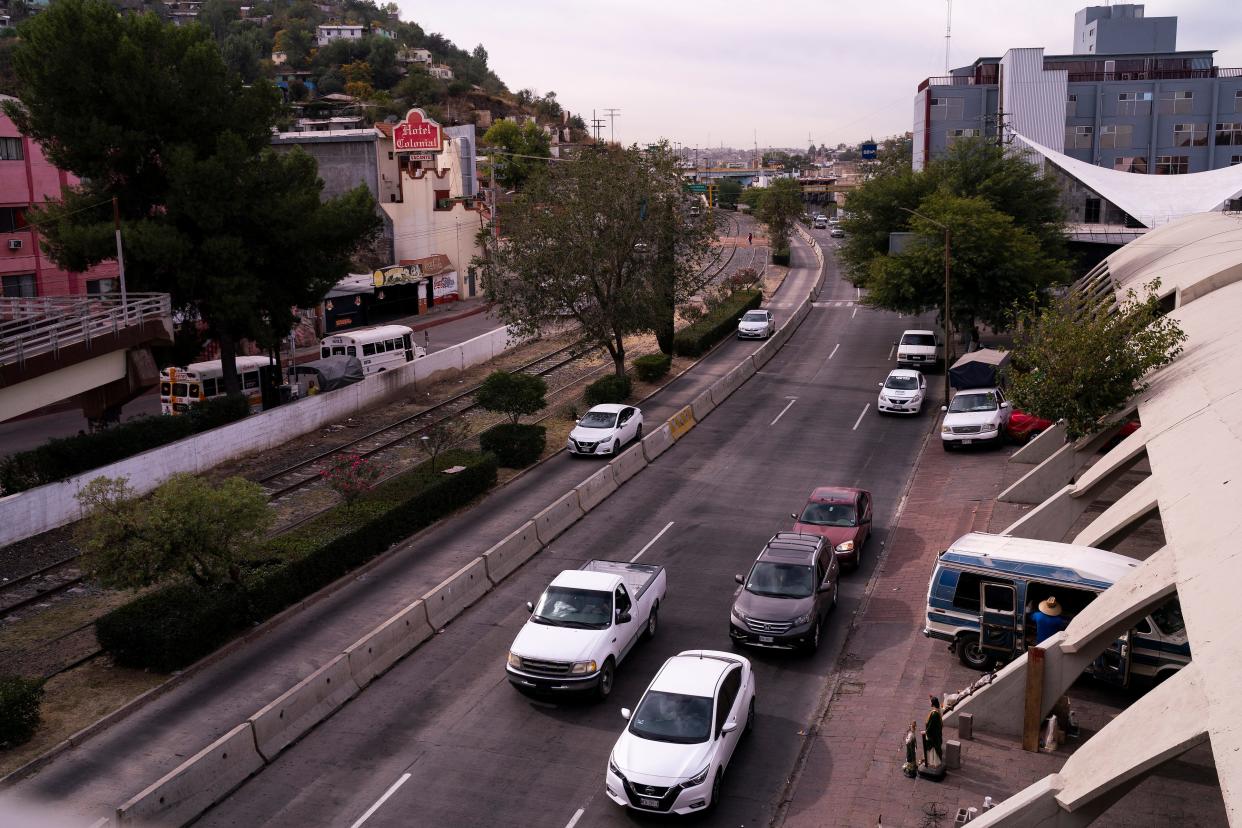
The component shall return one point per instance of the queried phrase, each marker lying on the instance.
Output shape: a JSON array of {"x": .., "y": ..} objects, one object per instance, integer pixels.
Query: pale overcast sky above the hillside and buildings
[{"x": 710, "y": 71}]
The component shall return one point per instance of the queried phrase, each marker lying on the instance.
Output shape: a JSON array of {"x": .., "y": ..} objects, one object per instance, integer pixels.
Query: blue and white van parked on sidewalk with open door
[{"x": 984, "y": 588}]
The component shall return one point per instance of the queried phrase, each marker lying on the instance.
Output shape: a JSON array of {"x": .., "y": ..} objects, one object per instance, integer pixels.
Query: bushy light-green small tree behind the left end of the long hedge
[{"x": 189, "y": 528}]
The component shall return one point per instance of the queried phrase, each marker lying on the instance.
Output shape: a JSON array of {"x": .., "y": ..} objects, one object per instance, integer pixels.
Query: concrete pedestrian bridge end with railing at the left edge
[{"x": 55, "y": 348}]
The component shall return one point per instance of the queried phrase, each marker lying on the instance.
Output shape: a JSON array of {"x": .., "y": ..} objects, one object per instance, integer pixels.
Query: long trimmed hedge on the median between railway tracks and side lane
[{"x": 178, "y": 625}]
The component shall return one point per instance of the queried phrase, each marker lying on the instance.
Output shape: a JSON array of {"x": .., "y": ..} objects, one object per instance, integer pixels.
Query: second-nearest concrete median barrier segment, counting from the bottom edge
[{"x": 304, "y": 707}]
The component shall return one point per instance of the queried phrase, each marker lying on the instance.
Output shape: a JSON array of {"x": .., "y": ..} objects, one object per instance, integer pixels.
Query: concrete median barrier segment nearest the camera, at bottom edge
[{"x": 198, "y": 783}]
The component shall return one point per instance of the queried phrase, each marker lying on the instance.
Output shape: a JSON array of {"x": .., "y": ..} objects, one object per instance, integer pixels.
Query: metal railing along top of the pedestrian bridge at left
[{"x": 35, "y": 326}]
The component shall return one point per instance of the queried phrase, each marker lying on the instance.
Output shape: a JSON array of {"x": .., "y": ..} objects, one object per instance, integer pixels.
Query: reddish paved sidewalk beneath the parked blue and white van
[{"x": 853, "y": 773}]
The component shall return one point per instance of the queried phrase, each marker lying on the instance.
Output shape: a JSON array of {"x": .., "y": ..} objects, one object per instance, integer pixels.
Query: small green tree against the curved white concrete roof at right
[{"x": 1079, "y": 361}]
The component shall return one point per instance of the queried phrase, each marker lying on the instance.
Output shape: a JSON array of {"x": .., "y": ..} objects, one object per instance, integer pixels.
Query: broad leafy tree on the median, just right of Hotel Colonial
[{"x": 604, "y": 240}]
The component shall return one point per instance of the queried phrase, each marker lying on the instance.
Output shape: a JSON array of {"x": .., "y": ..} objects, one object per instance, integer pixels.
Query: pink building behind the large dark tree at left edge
[{"x": 27, "y": 179}]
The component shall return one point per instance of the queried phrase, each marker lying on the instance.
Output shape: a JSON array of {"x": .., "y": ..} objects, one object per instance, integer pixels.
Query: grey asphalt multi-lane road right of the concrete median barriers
[{"x": 451, "y": 744}]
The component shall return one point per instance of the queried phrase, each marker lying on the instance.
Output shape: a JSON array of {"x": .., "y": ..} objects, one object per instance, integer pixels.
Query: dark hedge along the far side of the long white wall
[{"x": 64, "y": 457}]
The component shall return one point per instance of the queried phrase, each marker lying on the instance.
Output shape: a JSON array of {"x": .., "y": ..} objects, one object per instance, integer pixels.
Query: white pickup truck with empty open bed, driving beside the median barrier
[{"x": 584, "y": 625}]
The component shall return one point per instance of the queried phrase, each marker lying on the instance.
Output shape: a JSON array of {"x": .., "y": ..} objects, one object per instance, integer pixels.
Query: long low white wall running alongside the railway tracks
[{"x": 48, "y": 507}]
